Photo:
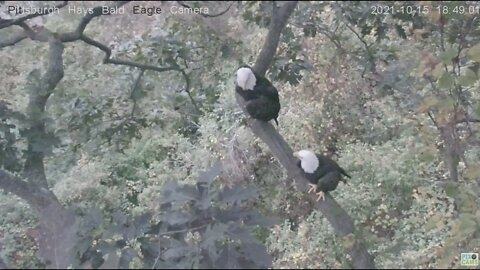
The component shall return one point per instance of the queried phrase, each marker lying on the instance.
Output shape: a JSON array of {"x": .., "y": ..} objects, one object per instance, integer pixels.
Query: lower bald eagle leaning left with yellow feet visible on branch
[{"x": 322, "y": 172}]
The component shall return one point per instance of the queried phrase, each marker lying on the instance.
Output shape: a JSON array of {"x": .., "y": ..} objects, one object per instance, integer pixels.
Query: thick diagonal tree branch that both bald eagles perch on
[{"x": 335, "y": 214}]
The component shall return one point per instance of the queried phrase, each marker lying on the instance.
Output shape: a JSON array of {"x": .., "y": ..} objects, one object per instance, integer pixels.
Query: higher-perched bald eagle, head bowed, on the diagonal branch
[{"x": 262, "y": 101}]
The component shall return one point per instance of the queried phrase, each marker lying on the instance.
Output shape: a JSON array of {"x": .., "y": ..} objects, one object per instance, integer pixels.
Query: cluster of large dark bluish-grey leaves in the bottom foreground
[{"x": 199, "y": 227}]
